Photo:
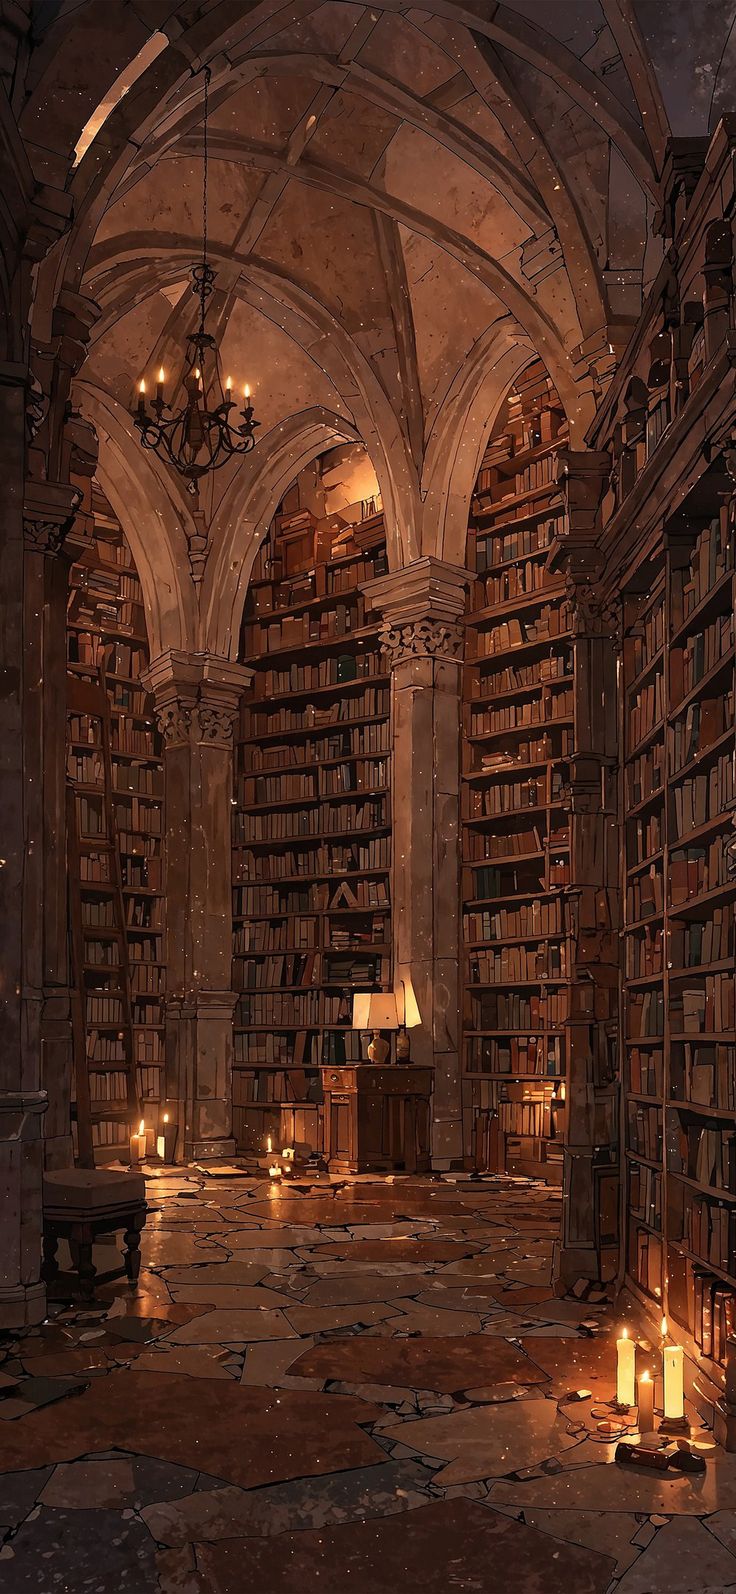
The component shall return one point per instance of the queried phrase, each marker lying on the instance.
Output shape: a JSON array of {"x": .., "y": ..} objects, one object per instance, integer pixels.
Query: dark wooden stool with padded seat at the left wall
[{"x": 79, "y": 1206}]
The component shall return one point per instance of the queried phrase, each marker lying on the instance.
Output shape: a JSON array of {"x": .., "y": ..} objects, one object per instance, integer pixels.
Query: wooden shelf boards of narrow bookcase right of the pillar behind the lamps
[{"x": 480, "y": 701}]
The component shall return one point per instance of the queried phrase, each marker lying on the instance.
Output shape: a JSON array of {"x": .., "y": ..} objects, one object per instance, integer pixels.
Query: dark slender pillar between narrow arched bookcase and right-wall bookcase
[{"x": 590, "y": 1207}]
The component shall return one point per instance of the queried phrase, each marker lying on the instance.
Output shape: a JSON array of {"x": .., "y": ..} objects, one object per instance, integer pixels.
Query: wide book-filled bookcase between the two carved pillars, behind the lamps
[{"x": 311, "y": 834}]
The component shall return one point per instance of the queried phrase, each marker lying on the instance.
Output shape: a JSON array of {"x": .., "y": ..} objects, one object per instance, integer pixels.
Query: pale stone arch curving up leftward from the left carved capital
[{"x": 154, "y": 517}]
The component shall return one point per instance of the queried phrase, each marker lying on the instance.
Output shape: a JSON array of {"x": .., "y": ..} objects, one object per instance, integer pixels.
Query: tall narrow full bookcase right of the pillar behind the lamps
[{"x": 519, "y": 729}]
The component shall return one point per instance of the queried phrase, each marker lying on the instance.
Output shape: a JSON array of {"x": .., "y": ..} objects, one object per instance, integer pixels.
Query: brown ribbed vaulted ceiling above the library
[{"x": 405, "y": 202}]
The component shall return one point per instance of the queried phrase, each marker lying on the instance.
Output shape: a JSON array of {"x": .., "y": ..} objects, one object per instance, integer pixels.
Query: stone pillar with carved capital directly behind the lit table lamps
[{"x": 421, "y": 637}]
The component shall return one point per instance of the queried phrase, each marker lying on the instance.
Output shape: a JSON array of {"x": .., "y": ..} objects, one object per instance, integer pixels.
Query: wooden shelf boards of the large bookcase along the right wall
[{"x": 654, "y": 607}]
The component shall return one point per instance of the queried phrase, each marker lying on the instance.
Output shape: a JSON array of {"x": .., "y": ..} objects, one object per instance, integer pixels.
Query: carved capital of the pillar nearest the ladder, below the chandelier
[{"x": 197, "y": 697}]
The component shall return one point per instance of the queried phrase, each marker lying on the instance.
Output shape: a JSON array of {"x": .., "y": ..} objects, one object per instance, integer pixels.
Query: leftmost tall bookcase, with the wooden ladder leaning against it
[{"x": 117, "y": 889}]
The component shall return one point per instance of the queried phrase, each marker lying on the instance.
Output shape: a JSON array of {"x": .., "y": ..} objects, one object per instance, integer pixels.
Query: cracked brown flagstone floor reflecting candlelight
[{"x": 356, "y": 1388}]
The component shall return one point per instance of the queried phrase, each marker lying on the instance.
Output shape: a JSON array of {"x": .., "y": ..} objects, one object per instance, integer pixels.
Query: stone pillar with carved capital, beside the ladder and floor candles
[{"x": 197, "y": 699}]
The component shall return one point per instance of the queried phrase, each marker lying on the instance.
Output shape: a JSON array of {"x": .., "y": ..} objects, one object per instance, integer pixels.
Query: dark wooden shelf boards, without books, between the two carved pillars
[{"x": 260, "y": 893}]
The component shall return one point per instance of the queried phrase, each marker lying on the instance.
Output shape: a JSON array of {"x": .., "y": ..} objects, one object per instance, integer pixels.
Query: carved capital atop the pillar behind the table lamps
[{"x": 421, "y": 608}]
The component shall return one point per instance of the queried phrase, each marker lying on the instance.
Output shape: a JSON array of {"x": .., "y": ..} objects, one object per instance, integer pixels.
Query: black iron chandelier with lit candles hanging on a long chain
[{"x": 205, "y": 433}]
